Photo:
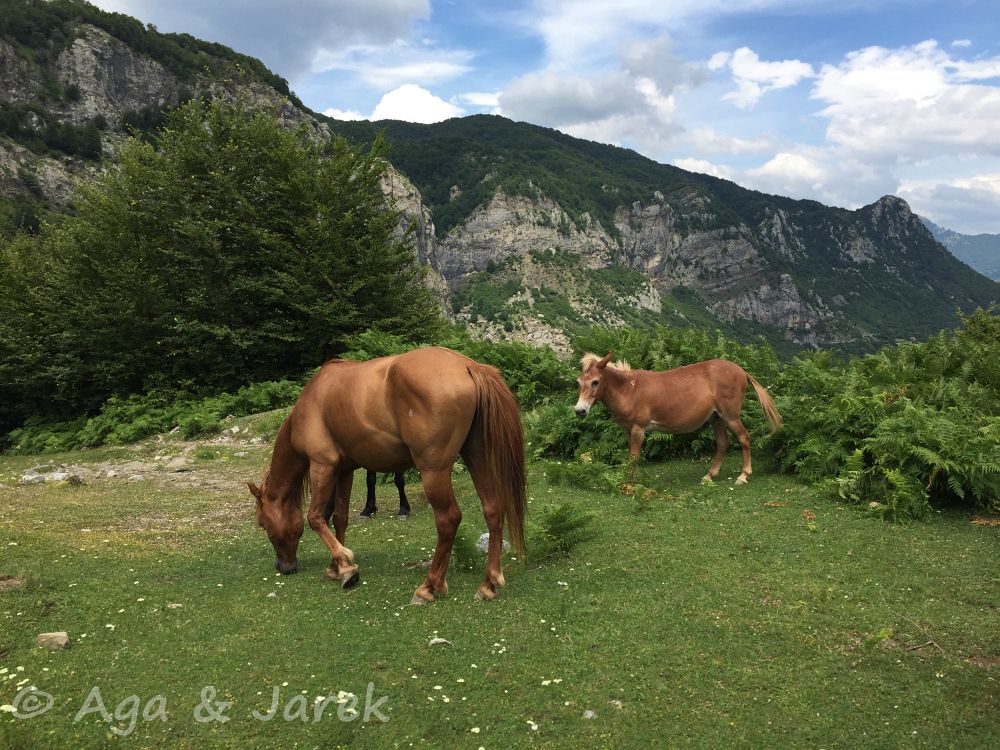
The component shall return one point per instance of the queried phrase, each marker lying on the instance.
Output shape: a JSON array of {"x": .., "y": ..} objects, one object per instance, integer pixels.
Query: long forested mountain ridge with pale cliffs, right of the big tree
[{"x": 545, "y": 219}]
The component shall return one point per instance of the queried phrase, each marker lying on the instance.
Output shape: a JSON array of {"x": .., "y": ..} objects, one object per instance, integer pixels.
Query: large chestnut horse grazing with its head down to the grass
[{"x": 420, "y": 409}]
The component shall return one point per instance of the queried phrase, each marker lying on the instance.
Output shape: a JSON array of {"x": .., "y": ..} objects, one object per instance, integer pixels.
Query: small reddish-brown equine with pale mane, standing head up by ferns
[{"x": 676, "y": 401}]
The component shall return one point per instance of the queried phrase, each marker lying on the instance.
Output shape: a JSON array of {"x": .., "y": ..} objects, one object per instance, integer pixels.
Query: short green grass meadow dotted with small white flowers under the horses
[{"x": 701, "y": 616}]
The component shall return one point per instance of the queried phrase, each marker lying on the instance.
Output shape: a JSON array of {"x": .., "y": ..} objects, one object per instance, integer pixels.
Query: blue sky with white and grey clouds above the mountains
[{"x": 841, "y": 102}]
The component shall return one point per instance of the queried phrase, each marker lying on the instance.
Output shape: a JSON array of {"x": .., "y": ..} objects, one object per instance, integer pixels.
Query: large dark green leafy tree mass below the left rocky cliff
[{"x": 229, "y": 250}]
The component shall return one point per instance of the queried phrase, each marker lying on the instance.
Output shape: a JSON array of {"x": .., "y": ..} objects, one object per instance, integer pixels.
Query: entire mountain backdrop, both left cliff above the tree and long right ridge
[{"x": 527, "y": 232}]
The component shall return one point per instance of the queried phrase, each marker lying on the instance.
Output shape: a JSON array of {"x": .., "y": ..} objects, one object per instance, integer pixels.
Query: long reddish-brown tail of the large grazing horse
[{"x": 497, "y": 425}]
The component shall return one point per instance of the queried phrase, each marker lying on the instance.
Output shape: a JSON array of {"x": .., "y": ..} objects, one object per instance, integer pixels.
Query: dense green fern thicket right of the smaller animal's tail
[{"x": 900, "y": 429}]
